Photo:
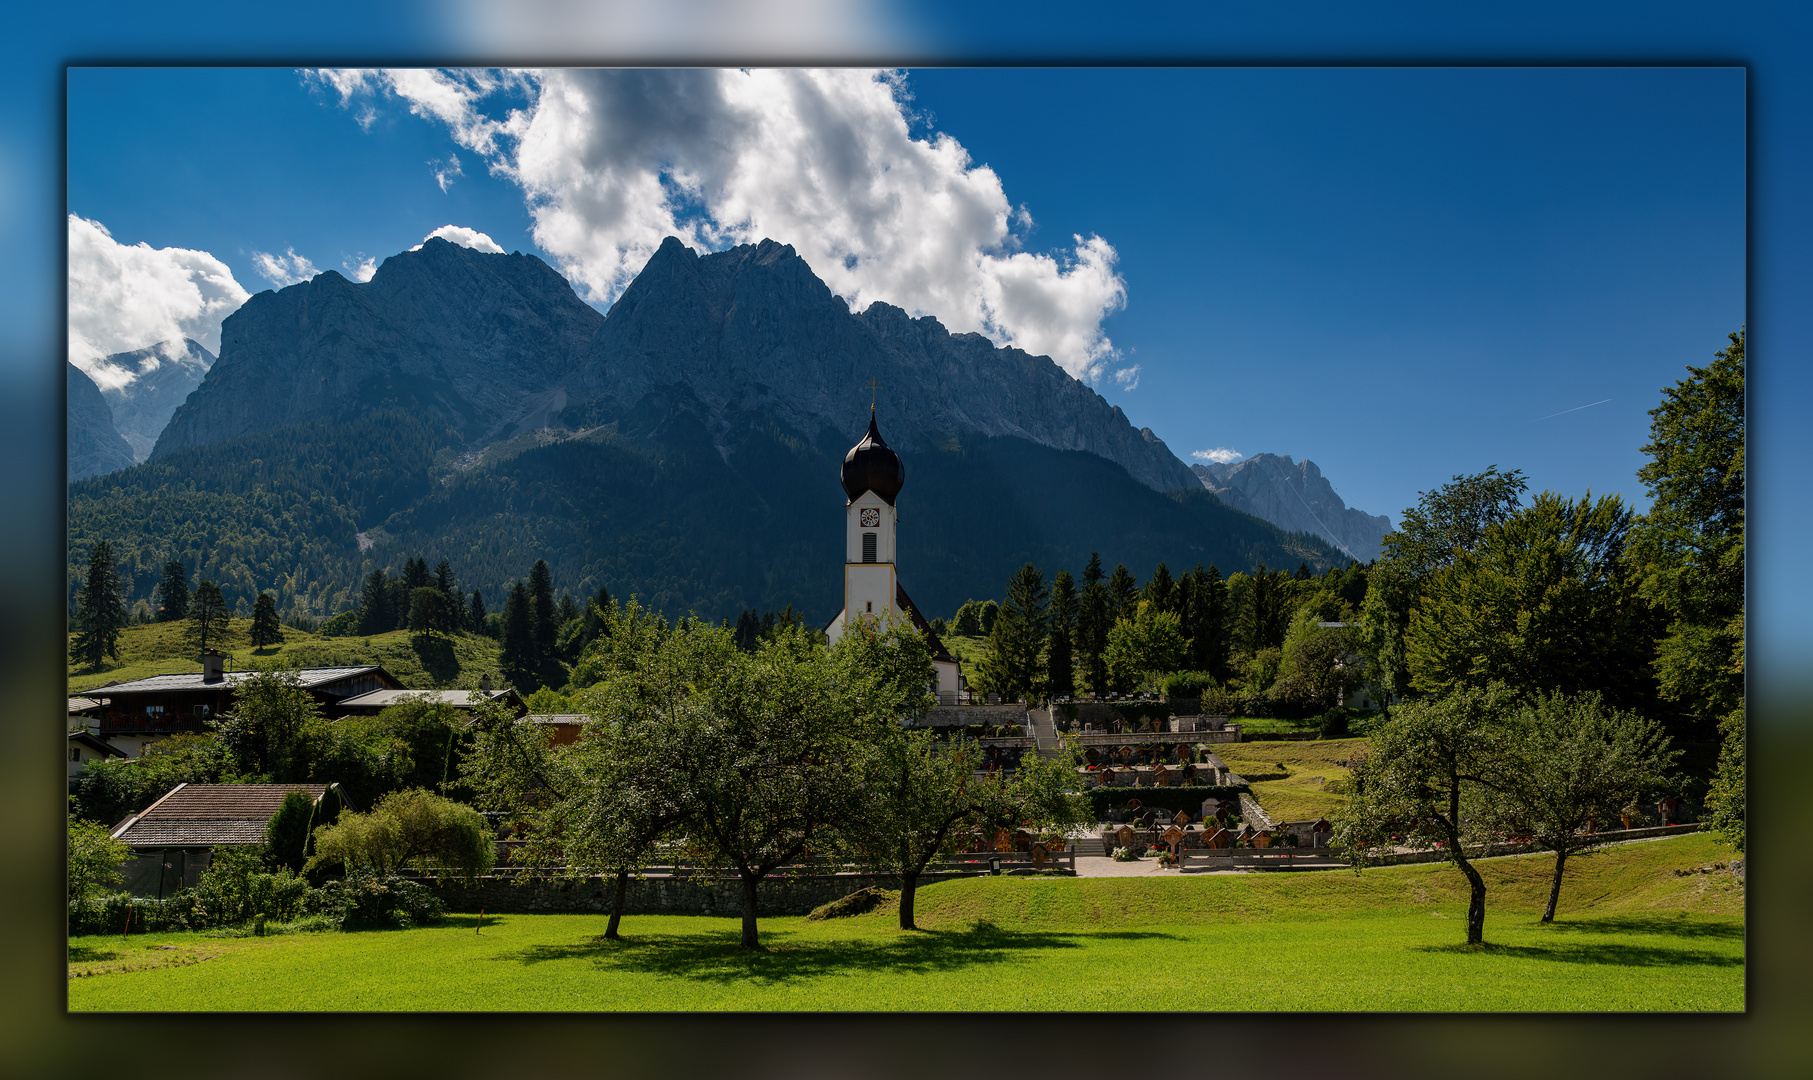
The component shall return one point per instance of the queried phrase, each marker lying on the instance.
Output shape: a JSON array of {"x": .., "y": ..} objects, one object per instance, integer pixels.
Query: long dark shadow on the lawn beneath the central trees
[{"x": 717, "y": 958}]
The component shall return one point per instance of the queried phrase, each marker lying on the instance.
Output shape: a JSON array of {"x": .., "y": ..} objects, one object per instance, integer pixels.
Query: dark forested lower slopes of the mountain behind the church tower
[{"x": 670, "y": 516}]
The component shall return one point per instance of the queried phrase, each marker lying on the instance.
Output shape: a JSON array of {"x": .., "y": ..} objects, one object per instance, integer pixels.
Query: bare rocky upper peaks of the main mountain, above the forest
[{"x": 499, "y": 345}]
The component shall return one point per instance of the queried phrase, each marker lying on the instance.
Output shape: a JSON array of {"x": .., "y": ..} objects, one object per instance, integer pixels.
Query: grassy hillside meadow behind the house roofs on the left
[{"x": 422, "y": 662}]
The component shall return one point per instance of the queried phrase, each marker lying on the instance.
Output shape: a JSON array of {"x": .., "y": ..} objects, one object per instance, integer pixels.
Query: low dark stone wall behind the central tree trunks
[{"x": 663, "y": 894}]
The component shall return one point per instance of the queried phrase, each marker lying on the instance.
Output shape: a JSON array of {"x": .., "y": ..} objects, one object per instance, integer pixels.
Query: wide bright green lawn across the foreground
[{"x": 1633, "y": 938}]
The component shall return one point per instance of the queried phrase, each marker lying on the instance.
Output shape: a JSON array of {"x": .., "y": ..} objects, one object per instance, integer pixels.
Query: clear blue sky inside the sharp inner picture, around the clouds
[{"x": 1399, "y": 273}]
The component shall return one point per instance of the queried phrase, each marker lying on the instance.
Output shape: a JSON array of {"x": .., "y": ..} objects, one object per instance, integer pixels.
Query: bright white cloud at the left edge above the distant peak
[{"x": 126, "y": 298}]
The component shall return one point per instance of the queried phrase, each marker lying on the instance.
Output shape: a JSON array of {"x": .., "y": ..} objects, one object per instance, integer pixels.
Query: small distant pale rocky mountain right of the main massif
[{"x": 1295, "y": 497}]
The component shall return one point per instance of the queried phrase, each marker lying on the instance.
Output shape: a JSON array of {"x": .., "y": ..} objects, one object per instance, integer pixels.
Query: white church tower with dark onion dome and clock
[{"x": 873, "y": 479}]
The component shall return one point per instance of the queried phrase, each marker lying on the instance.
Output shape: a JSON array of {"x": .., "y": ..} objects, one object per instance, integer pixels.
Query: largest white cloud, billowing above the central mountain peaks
[{"x": 612, "y": 162}]
